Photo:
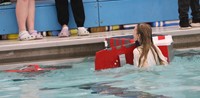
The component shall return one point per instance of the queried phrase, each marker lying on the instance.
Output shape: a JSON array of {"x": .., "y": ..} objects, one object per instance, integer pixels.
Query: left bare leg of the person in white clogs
[{"x": 22, "y": 14}]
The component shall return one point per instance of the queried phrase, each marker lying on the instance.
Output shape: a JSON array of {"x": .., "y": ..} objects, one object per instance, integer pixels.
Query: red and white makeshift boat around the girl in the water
[{"x": 120, "y": 51}]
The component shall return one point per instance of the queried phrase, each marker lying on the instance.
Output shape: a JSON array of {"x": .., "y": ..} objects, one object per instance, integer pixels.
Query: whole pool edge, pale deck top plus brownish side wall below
[{"x": 54, "y": 48}]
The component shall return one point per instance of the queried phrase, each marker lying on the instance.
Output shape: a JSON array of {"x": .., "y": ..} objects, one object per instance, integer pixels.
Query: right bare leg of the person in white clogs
[{"x": 31, "y": 15}]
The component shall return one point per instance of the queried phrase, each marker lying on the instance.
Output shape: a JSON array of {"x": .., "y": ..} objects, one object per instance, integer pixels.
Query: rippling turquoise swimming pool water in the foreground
[{"x": 181, "y": 79}]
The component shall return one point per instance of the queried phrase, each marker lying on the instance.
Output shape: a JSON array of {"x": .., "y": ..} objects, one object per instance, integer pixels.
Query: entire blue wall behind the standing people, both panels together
[{"x": 98, "y": 13}]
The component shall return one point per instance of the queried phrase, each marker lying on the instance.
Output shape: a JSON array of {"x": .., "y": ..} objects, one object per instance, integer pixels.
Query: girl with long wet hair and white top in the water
[{"x": 146, "y": 53}]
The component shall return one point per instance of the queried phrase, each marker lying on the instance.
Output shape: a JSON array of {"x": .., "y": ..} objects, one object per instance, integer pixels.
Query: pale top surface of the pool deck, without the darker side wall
[{"x": 7, "y": 45}]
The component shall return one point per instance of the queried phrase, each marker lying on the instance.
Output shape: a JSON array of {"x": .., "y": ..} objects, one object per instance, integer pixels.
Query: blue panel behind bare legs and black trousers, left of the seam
[{"x": 46, "y": 17}]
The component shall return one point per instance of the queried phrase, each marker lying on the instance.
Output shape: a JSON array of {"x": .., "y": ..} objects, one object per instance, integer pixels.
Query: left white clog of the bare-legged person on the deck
[{"x": 25, "y": 36}]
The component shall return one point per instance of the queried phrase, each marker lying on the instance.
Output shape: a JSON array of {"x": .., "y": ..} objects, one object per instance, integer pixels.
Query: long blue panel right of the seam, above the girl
[{"x": 114, "y": 12}]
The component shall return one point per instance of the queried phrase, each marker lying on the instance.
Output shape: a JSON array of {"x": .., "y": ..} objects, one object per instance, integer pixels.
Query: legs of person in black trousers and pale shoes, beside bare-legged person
[{"x": 63, "y": 16}]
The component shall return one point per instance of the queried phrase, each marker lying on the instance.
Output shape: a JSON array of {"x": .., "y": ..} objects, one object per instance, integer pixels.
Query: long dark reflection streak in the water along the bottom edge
[{"x": 106, "y": 89}]
